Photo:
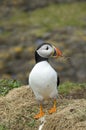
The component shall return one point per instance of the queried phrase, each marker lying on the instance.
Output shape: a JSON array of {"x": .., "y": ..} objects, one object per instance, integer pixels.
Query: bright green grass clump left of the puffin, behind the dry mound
[{"x": 8, "y": 84}]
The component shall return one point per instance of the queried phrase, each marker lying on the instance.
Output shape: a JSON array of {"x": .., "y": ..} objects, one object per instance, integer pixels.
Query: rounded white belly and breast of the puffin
[{"x": 43, "y": 81}]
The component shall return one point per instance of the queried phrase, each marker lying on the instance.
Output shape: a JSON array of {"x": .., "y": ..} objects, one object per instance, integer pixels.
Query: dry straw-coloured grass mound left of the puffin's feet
[{"x": 17, "y": 109}]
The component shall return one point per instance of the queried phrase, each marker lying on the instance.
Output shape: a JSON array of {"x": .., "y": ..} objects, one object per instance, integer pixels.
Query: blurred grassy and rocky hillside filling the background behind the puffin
[{"x": 25, "y": 24}]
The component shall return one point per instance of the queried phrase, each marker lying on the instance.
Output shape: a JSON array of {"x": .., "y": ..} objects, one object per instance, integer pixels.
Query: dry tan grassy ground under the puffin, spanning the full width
[{"x": 19, "y": 106}]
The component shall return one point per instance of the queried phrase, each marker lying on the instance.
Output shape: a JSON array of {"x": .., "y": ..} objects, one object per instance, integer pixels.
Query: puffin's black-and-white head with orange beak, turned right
[{"x": 46, "y": 50}]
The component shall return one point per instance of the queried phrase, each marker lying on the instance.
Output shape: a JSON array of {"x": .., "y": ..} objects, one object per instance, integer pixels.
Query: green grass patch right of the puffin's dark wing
[{"x": 68, "y": 87}]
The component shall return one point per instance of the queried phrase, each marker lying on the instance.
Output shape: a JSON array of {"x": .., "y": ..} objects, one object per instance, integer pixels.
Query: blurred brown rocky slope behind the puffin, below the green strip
[{"x": 17, "y": 60}]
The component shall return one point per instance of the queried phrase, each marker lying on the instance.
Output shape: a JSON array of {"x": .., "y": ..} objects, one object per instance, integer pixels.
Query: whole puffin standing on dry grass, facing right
[{"x": 43, "y": 79}]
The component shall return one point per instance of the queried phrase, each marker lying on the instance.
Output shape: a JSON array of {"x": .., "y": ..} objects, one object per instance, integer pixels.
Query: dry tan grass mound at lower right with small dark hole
[{"x": 69, "y": 117}]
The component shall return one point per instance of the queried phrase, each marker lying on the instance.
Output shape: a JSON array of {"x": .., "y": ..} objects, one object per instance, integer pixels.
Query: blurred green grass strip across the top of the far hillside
[{"x": 49, "y": 18}]
